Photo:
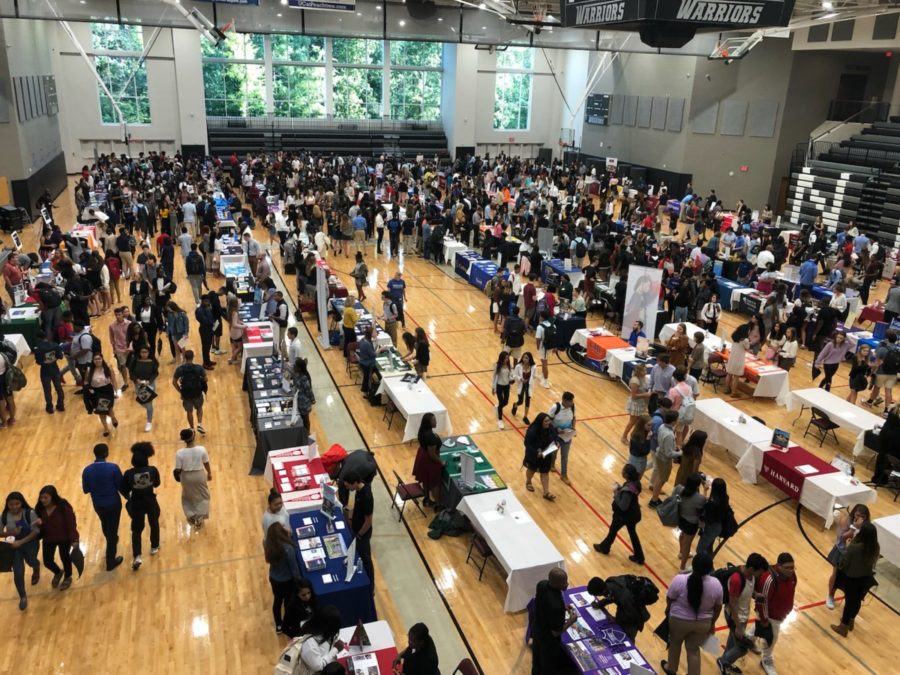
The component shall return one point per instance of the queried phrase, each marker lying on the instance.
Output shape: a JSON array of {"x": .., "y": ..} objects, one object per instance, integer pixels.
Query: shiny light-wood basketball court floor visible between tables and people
[{"x": 203, "y": 603}]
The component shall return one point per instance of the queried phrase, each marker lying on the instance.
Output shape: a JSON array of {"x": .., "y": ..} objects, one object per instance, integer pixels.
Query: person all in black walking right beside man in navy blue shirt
[{"x": 138, "y": 484}]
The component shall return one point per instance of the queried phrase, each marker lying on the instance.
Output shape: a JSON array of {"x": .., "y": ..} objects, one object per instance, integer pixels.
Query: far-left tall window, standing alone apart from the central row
[{"x": 117, "y": 51}]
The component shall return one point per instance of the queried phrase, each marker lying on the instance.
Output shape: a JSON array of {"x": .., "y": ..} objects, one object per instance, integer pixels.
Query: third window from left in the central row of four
[{"x": 357, "y": 77}]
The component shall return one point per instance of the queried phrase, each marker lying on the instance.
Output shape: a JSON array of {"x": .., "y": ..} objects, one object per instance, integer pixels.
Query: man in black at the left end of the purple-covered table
[{"x": 551, "y": 619}]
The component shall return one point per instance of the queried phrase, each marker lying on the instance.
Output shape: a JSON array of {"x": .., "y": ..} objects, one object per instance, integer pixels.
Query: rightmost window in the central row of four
[{"x": 416, "y": 80}]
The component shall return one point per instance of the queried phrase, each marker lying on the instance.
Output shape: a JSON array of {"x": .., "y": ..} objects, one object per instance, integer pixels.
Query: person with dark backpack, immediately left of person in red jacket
[{"x": 737, "y": 584}]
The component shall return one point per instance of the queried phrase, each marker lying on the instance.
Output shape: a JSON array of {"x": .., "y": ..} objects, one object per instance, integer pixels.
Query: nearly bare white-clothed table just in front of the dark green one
[{"x": 520, "y": 546}]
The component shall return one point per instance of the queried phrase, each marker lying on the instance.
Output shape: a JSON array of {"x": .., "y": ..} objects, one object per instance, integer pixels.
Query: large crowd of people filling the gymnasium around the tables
[{"x": 158, "y": 206}]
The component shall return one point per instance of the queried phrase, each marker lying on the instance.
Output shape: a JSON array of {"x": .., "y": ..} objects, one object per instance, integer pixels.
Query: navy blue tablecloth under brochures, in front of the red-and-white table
[{"x": 353, "y": 599}]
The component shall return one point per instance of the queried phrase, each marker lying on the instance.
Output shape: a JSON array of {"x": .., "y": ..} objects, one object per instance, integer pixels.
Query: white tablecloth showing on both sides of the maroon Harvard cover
[{"x": 821, "y": 494}]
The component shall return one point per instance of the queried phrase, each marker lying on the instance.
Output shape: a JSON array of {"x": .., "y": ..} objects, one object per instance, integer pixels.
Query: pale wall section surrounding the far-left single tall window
[{"x": 175, "y": 83}]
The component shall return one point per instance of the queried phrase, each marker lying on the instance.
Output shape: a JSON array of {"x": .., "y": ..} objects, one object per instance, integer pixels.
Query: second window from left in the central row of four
[{"x": 298, "y": 76}]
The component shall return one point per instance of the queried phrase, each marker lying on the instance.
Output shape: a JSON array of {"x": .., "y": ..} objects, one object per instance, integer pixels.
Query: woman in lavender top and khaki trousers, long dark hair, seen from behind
[{"x": 693, "y": 605}]
